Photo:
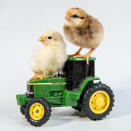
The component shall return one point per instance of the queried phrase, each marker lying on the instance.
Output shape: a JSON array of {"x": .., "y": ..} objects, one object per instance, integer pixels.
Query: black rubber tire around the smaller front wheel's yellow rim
[{"x": 46, "y": 116}]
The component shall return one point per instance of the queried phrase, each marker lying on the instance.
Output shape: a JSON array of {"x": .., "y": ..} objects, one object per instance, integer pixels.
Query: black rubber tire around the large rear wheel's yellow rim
[{"x": 86, "y": 97}]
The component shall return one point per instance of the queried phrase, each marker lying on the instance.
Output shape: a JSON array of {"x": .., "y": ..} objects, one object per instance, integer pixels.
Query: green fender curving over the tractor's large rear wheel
[{"x": 86, "y": 81}]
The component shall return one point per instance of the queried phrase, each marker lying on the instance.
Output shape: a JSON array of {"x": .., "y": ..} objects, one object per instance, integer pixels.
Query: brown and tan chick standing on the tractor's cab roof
[{"x": 82, "y": 30}]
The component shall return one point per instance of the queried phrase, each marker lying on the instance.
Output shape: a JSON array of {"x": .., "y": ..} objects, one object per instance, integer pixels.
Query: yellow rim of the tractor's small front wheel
[{"x": 36, "y": 111}]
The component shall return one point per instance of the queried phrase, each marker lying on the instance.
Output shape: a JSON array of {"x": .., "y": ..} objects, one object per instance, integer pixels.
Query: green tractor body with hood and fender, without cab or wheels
[{"x": 54, "y": 91}]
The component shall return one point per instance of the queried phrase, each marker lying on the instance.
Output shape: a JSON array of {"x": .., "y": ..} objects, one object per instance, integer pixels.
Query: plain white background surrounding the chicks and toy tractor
[{"x": 21, "y": 24}]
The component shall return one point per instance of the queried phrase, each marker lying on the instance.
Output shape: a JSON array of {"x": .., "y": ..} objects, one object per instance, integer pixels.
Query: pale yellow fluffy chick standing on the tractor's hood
[{"x": 50, "y": 57}]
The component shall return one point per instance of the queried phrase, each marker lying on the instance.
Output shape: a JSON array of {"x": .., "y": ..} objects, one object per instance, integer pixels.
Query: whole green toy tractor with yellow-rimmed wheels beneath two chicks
[{"x": 75, "y": 87}]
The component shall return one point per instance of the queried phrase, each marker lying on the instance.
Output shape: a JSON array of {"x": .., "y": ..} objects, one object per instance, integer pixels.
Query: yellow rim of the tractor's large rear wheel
[{"x": 99, "y": 102}]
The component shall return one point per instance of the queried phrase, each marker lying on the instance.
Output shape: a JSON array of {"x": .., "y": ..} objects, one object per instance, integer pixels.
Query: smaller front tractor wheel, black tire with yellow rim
[{"x": 37, "y": 112}]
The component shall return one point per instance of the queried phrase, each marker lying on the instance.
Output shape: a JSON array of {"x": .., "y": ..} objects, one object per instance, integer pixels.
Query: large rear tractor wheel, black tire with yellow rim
[{"x": 97, "y": 101}]
